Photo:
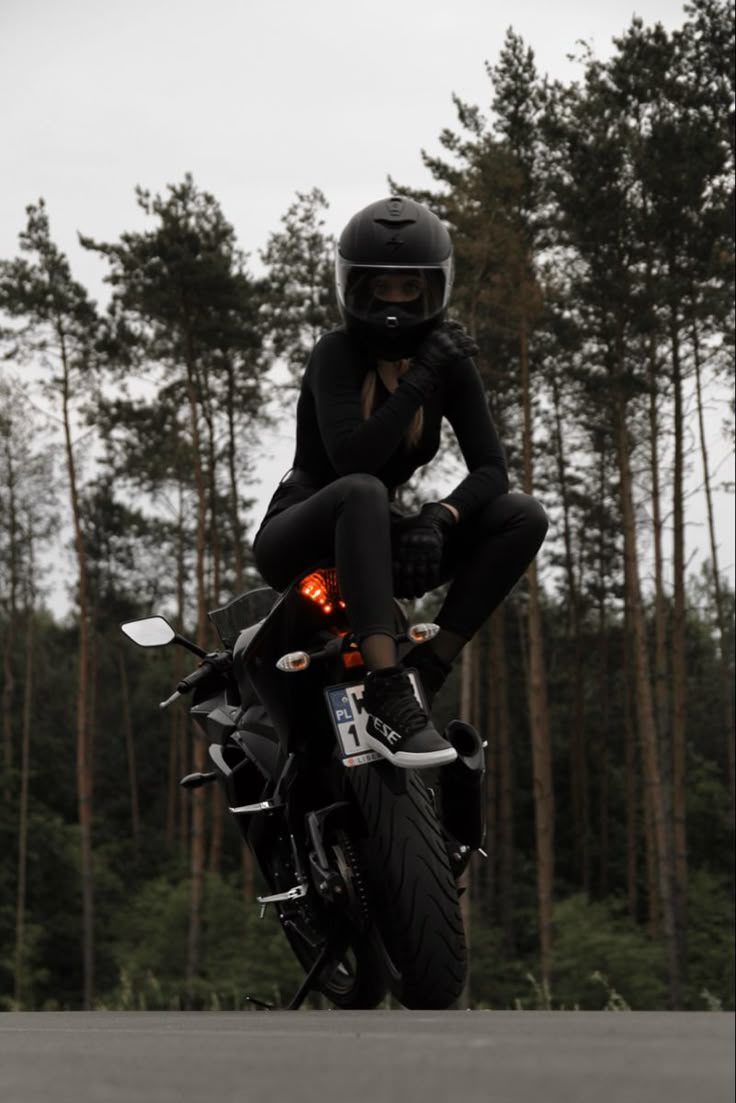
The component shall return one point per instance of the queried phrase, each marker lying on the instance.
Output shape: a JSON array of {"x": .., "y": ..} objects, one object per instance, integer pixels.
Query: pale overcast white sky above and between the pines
[{"x": 259, "y": 100}]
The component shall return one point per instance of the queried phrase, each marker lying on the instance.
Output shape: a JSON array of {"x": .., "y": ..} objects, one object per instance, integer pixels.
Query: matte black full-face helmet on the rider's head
[{"x": 393, "y": 275}]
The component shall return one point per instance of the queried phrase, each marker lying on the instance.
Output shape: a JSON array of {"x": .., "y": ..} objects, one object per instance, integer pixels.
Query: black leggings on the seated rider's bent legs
[{"x": 349, "y": 523}]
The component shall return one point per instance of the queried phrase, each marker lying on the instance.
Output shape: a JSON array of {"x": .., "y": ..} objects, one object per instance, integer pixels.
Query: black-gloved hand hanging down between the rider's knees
[{"x": 418, "y": 550}]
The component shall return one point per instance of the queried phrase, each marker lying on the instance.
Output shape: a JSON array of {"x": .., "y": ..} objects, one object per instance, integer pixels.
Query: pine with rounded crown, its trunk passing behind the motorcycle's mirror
[{"x": 190, "y": 308}]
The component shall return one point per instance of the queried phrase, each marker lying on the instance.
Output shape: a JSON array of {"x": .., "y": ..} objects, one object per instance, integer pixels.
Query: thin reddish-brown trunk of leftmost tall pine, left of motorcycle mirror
[{"x": 83, "y": 769}]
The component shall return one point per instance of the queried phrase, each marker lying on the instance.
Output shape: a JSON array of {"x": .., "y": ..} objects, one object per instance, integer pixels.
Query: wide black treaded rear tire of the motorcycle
[{"x": 413, "y": 890}]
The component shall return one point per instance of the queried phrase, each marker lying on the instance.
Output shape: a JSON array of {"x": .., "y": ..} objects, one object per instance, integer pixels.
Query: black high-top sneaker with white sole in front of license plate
[{"x": 398, "y": 727}]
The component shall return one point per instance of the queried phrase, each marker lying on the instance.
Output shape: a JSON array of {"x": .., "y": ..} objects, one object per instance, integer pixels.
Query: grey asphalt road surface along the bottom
[{"x": 367, "y": 1057}]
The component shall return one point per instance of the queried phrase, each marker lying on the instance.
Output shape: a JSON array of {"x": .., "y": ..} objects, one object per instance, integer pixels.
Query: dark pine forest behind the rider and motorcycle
[{"x": 594, "y": 232}]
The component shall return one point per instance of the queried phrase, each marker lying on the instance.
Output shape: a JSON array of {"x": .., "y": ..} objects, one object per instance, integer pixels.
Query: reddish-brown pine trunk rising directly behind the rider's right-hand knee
[{"x": 538, "y": 709}]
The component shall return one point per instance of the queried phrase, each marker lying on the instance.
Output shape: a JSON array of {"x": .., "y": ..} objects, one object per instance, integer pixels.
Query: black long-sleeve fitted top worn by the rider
[{"x": 335, "y": 440}]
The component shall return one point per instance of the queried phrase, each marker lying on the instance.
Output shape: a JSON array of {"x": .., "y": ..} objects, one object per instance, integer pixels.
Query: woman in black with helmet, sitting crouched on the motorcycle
[{"x": 370, "y": 411}]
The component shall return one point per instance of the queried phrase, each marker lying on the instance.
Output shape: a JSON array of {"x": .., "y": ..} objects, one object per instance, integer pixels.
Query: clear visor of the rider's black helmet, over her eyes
[{"x": 366, "y": 291}]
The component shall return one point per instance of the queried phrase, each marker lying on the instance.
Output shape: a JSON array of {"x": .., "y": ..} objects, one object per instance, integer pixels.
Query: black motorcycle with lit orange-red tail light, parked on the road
[{"x": 361, "y": 859}]
